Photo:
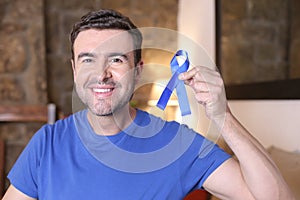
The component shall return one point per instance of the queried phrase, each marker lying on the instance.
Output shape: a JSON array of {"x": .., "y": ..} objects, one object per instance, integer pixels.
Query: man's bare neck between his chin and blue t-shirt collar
[{"x": 113, "y": 124}]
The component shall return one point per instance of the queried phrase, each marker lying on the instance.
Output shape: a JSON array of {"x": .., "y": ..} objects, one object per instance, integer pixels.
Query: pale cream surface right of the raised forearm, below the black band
[{"x": 272, "y": 122}]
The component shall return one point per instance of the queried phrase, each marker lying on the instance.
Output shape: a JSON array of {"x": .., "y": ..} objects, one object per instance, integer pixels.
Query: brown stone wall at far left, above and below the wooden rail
[{"x": 22, "y": 68}]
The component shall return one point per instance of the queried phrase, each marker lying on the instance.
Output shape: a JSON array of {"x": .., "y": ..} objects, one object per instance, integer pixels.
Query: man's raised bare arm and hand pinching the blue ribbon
[{"x": 253, "y": 175}]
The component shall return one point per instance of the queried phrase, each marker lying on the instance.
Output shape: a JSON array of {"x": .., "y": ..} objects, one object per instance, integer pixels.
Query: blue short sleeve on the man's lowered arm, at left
[{"x": 24, "y": 173}]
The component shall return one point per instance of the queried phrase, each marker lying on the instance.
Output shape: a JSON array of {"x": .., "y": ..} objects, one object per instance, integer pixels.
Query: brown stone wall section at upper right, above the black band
[{"x": 260, "y": 40}]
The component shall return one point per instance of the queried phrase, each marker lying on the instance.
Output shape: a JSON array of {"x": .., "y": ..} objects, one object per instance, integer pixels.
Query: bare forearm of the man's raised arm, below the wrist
[{"x": 259, "y": 171}]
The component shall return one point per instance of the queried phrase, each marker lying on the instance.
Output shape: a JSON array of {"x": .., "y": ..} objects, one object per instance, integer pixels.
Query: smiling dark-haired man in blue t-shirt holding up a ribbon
[{"x": 113, "y": 151}]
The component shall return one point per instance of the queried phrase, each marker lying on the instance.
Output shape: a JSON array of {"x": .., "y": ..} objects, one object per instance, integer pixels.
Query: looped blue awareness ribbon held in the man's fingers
[{"x": 178, "y": 84}]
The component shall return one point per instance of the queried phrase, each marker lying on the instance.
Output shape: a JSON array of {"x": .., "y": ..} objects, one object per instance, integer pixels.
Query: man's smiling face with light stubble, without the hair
[{"x": 104, "y": 71}]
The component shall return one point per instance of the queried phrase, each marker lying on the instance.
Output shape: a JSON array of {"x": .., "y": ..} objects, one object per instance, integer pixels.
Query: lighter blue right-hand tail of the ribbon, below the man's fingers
[{"x": 183, "y": 99}]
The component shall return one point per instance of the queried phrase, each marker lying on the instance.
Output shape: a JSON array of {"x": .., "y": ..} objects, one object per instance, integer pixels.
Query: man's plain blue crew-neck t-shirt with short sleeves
[{"x": 150, "y": 159}]
